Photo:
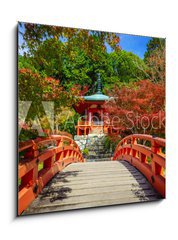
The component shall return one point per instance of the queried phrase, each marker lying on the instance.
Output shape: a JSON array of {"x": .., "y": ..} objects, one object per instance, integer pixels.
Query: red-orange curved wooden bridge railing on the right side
[{"x": 147, "y": 154}]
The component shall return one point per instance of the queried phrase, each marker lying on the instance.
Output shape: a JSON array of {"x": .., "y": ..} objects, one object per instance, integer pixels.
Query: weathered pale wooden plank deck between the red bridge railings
[{"x": 92, "y": 184}]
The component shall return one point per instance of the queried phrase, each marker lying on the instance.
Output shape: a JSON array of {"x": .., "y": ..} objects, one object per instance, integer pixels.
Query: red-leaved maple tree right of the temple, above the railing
[{"x": 139, "y": 108}]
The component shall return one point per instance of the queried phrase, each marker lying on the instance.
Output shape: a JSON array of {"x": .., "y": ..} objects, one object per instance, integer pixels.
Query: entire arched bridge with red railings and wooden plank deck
[{"x": 53, "y": 175}]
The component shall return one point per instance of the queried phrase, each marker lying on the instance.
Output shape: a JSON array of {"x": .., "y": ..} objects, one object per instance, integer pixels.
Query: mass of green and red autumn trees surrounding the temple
[{"x": 61, "y": 64}]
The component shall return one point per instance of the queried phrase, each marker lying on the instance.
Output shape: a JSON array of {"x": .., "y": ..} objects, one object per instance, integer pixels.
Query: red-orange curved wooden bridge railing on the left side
[{"x": 39, "y": 161}]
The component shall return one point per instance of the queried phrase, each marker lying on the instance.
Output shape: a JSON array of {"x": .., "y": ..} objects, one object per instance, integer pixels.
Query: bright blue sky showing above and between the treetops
[{"x": 130, "y": 43}]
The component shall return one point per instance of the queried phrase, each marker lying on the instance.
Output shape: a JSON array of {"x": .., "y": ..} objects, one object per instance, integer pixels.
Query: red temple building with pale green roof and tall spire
[{"x": 94, "y": 117}]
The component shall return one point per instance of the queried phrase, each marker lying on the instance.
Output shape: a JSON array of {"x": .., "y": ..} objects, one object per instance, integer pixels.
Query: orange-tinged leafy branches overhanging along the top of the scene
[{"x": 89, "y": 41}]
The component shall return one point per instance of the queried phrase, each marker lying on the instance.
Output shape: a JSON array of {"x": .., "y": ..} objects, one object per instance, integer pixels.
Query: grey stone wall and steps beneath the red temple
[{"x": 95, "y": 145}]
